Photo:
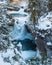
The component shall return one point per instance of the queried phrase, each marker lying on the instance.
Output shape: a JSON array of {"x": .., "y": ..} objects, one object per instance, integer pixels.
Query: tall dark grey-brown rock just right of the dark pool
[{"x": 41, "y": 44}]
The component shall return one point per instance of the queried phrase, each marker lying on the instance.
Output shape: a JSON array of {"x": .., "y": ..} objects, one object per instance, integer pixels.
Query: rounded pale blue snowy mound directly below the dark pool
[{"x": 28, "y": 54}]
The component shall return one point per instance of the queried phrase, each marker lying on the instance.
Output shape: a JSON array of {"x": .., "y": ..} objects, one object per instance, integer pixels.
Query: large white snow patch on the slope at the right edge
[{"x": 44, "y": 22}]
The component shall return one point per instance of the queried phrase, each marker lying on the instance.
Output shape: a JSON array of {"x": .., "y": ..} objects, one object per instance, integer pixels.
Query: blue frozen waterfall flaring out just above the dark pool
[{"x": 19, "y": 32}]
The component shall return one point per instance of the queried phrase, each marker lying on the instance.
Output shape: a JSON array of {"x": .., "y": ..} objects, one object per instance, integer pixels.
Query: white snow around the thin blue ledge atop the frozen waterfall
[{"x": 21, "y": 16}]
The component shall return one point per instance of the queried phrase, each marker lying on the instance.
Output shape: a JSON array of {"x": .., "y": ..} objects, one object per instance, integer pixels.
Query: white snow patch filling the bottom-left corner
[{"x": 8, "y": 53}]
